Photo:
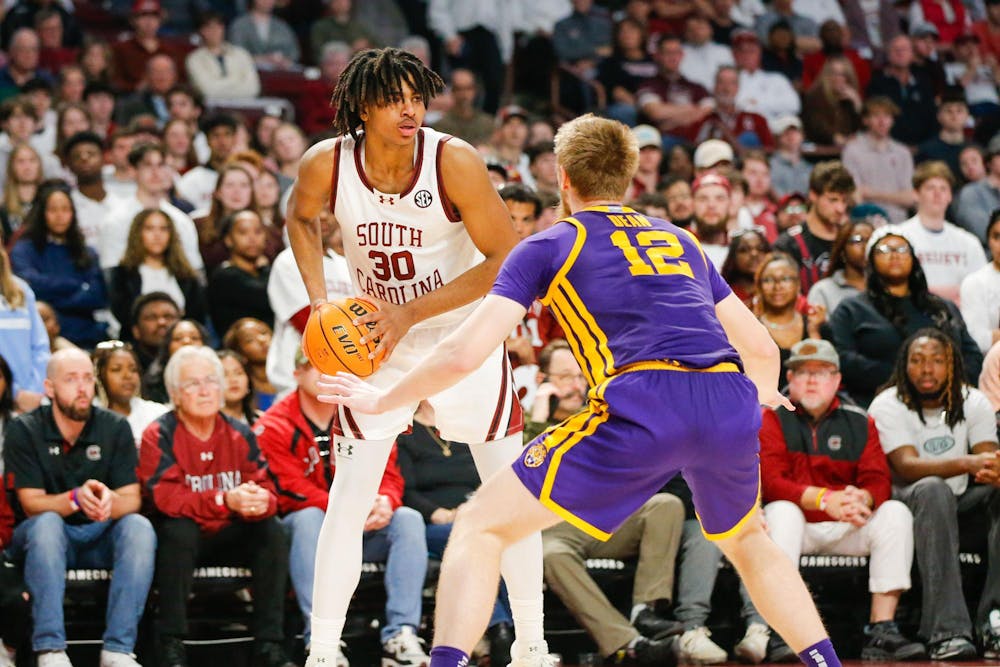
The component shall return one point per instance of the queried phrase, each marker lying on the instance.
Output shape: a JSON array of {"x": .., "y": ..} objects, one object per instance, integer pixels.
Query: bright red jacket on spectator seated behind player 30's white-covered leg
[{"x": 304, "y": 474}]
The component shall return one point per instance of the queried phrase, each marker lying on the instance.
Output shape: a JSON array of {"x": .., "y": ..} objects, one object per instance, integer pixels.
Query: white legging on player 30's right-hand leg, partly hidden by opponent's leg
[{"x": 520, "y": 563}]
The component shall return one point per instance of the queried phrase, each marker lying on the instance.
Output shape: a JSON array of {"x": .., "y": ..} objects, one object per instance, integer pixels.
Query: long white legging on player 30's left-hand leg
[{"x": 338, "y": 552}]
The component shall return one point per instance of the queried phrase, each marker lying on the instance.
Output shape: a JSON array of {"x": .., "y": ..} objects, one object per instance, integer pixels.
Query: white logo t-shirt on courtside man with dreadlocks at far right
[{"x": 898, "y": 426}]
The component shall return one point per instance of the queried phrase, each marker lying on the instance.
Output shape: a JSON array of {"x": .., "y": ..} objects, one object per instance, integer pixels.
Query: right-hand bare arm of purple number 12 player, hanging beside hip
[{"x": 761, "y": 359}]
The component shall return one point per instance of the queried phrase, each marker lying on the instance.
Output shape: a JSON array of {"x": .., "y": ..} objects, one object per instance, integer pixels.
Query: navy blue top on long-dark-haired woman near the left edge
[{"x": 72, "y": 293}]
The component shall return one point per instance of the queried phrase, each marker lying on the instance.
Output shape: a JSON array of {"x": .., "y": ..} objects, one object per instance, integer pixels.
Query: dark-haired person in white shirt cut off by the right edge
[{"x": 980, "y": 293}]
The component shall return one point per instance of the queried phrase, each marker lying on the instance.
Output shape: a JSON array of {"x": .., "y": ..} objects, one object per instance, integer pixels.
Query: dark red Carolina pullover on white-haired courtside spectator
[{"x": 183, "y": 476}]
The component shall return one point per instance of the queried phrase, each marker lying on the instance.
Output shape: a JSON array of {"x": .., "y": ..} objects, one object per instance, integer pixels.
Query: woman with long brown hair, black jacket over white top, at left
[{"x": 154, "y": 262}]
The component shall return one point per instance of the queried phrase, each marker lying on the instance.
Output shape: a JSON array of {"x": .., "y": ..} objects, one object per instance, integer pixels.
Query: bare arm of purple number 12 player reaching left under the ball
[{"x": 452, "y": 359}]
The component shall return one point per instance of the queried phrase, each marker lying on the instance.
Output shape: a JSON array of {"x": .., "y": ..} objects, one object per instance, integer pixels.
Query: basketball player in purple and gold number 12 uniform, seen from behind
[{"x": 677, "y": 367}]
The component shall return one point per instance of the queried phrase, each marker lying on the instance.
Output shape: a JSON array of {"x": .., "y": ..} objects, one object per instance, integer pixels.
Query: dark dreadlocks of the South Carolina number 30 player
[{"x": 371, "y": 79}]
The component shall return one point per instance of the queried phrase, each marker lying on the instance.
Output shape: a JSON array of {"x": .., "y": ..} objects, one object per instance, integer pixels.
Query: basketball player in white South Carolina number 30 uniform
[{"x": 424, "y": 234}]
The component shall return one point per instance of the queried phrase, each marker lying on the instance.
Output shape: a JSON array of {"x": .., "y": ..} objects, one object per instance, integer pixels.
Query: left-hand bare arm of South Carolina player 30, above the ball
[{"x": 310, "y": 195}]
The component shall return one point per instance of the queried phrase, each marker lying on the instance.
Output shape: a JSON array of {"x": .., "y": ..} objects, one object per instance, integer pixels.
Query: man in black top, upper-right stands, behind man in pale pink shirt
[{"x": 912, "y": 94}]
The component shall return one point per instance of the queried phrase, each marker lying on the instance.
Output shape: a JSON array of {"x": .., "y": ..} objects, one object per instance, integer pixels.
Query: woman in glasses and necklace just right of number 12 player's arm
[{"x": 778, "y": 293}]
